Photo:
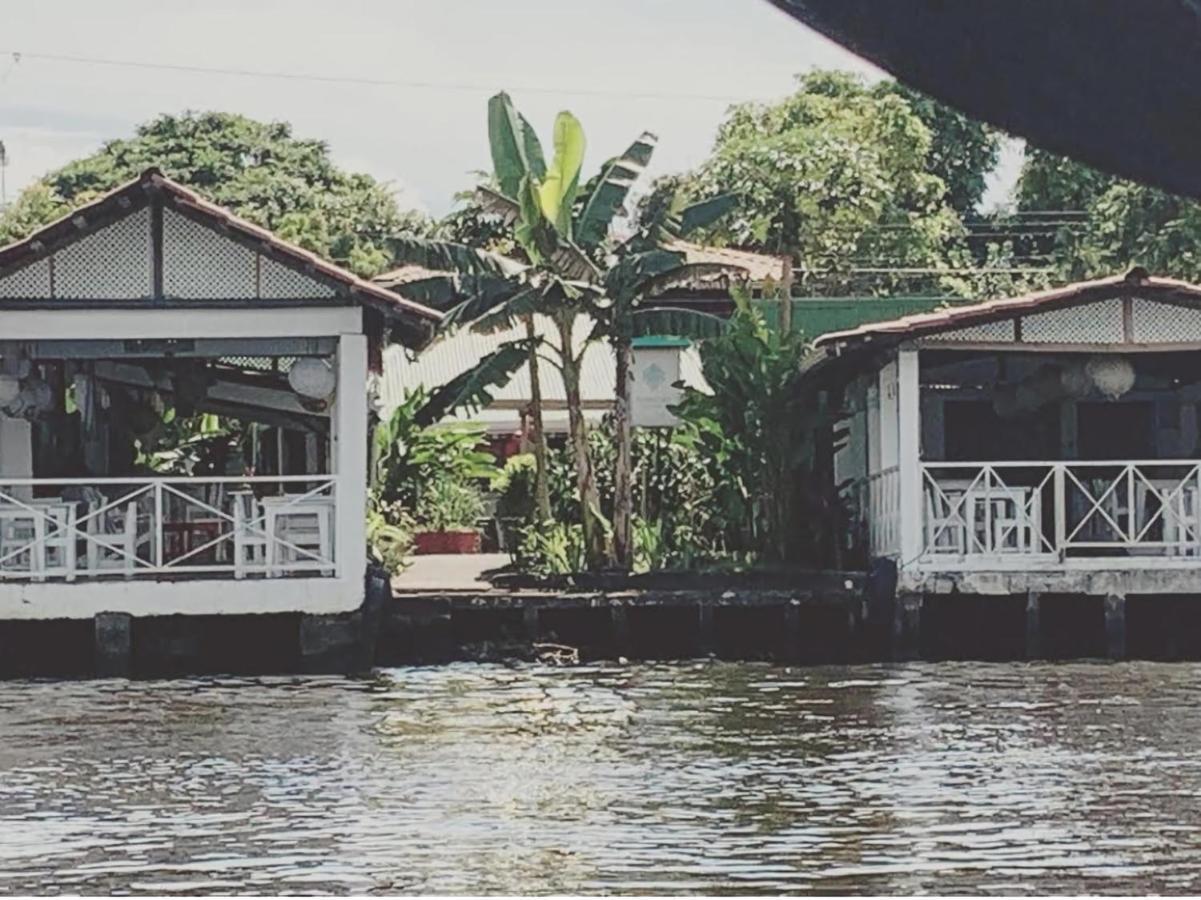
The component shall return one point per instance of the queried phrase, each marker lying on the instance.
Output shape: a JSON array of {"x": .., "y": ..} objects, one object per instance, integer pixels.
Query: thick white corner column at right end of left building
[{"x": 350, "y": 457}]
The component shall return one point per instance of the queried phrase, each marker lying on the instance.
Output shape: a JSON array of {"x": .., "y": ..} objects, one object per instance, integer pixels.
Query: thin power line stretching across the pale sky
[{"x": 365, "y": 81}]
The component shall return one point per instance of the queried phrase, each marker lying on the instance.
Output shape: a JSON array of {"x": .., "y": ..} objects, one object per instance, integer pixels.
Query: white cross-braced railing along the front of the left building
[{"x": 76, "y": 529}]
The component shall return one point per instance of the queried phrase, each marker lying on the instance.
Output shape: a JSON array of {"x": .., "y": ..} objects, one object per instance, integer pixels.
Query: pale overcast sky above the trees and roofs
[{"x": 421, "y": 71}]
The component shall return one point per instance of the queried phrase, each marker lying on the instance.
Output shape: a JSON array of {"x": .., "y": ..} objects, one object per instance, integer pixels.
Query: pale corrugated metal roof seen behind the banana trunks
[{"x": 457, "y": 354}]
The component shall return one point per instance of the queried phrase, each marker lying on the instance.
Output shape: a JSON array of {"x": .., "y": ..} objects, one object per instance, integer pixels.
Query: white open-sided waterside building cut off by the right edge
[{"x": 1042, "y": 444}]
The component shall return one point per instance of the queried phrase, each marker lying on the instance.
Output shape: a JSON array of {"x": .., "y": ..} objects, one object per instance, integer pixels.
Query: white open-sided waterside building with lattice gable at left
[{"x": 148, "y": 299}]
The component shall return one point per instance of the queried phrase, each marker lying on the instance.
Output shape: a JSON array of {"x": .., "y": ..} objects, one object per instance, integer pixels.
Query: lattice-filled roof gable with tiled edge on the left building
[{"x": 153, "y": 240}]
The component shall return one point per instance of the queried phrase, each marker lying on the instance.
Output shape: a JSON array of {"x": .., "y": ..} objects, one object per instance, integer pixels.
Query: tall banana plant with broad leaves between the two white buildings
[{"x": 571, "y": 271}]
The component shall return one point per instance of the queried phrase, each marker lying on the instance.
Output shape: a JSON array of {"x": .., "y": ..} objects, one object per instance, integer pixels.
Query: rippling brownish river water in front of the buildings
[{"x": 655, "y": 779}]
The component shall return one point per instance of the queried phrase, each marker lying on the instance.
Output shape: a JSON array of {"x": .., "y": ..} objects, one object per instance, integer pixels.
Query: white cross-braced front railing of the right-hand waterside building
[{"x": 1062, "y": 510}]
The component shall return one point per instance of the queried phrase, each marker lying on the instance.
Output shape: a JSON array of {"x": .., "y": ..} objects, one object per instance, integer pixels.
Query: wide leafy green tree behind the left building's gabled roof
[{"x": 258, "y": 170}]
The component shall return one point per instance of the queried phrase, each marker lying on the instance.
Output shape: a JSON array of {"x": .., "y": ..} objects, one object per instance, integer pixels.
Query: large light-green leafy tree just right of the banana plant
[{"x": 835, "y": 175}]
